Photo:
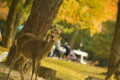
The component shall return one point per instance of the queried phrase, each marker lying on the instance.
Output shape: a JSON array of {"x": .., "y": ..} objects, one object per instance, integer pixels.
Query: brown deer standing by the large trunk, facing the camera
[{"x": 32, "y": 47}]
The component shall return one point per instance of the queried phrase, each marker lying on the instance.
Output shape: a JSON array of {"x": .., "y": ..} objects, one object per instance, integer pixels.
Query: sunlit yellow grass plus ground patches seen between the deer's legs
[{"x": 66, "y": 70}]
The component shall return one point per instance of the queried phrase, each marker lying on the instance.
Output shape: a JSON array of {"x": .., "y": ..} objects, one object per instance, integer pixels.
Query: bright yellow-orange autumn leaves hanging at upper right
[{"x": 88, "y": 13}]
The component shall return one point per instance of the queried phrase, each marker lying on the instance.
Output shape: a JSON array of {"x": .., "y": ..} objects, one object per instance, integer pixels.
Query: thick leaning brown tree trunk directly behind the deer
[{"x": 39, "y": 21}]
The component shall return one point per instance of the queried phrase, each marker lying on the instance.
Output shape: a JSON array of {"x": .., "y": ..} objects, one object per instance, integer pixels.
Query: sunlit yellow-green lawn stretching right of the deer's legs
[{"x": 68, "y": 70}]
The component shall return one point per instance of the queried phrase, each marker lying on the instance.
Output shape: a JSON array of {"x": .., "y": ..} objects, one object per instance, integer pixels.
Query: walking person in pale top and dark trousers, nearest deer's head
[{"x": 57, "y": 48}]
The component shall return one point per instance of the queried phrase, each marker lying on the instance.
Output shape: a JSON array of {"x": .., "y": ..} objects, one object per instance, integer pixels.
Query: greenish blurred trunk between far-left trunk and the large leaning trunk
[{"x": 22, "y": 9}]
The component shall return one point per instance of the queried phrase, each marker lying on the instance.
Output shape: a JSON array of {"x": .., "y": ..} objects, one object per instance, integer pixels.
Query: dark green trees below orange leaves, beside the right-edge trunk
[{"x": 99, "y": 45}]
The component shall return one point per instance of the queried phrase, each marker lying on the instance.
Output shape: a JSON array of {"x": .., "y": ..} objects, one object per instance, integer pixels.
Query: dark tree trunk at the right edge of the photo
[{"x": 115, "y": 50}]
